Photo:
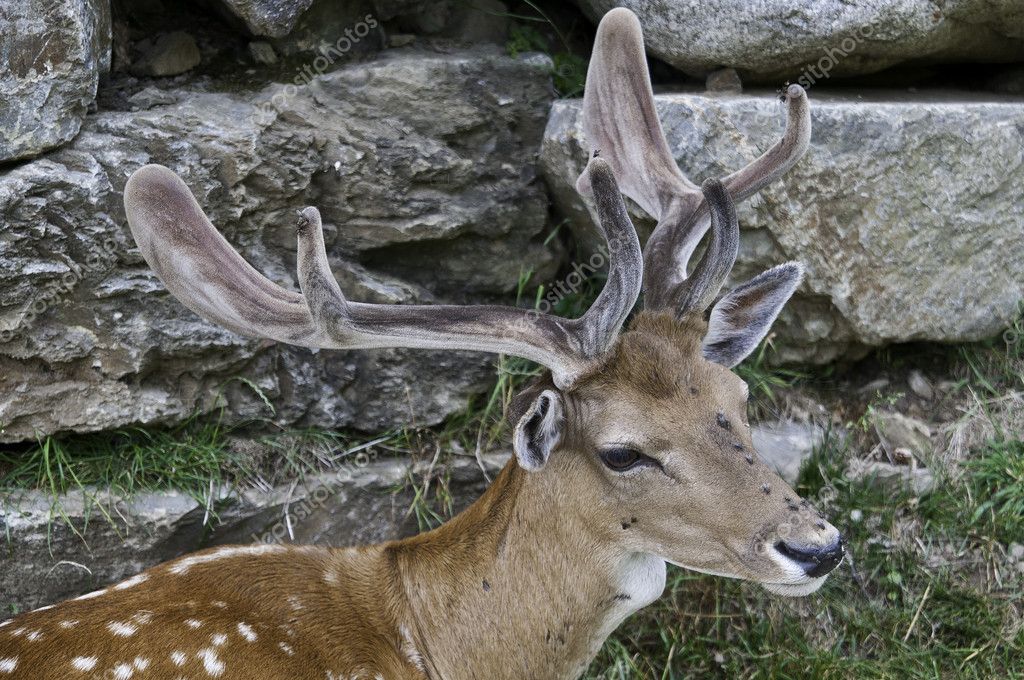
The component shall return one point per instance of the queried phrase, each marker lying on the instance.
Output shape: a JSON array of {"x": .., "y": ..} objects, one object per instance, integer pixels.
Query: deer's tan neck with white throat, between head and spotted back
[{"x": 520, "y": 586}]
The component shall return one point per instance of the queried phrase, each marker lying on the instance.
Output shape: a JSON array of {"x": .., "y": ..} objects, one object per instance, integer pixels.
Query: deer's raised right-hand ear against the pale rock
[{"x": 742, "y": 319}]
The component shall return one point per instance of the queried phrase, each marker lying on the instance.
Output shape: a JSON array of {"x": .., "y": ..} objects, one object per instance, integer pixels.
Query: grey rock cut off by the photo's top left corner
[{"x": 52, "y": 56}]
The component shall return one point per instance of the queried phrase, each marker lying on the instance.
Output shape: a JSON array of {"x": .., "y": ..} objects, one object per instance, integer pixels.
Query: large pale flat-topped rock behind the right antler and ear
[{"x": 906, "y": 210}]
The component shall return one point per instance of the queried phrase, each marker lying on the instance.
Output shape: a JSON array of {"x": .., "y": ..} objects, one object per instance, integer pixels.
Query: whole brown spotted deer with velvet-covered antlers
[{"x": 633, "y": 452}]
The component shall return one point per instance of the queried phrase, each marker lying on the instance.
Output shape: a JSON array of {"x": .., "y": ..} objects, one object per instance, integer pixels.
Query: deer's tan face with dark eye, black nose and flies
[{"x": 656, "y": 452}]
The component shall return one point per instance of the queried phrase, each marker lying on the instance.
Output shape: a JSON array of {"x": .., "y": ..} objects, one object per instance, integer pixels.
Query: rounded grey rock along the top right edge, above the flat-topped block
[{"x": 819, "y": 39}]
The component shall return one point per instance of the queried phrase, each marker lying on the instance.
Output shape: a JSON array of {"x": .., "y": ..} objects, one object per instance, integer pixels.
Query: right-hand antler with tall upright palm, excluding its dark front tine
[{"x": 621, "y": 122}]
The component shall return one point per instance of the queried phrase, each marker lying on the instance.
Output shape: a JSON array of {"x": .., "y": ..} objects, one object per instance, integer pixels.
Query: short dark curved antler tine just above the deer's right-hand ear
[{"x": 698, "y": 292}]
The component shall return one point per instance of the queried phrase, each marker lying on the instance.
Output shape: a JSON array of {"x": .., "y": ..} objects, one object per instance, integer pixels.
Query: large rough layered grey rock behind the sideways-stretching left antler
[{"x": 424, "y": 169}]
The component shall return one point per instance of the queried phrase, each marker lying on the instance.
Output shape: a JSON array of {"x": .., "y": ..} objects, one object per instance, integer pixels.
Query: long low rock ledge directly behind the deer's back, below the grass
[{"x": 45, "y": 561}]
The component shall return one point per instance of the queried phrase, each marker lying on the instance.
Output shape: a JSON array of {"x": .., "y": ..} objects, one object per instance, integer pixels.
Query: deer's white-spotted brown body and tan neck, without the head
[{"x": 517, "y": 604}]
